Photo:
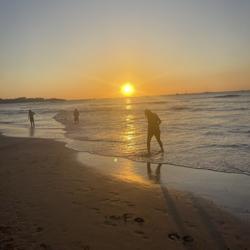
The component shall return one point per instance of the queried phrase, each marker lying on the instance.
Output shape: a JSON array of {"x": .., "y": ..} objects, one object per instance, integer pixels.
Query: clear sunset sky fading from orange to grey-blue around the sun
[{"x": 89, "y": 48}]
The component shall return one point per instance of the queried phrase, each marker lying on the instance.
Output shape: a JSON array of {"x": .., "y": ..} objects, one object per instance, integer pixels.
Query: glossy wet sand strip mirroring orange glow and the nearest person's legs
[{"x": 226, "y": 190}]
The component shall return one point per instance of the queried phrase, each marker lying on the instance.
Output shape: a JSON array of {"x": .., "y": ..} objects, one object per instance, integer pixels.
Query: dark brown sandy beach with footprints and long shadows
[{"x": 49, "y": 200}]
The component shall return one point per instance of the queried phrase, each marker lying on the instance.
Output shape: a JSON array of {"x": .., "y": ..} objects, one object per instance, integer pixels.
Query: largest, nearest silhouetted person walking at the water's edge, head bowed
[{"x": 153, "y": 128}]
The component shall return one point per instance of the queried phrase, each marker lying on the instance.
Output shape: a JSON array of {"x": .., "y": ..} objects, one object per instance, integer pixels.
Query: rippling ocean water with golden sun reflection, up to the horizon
[{"x": 205, "y": 131}]
